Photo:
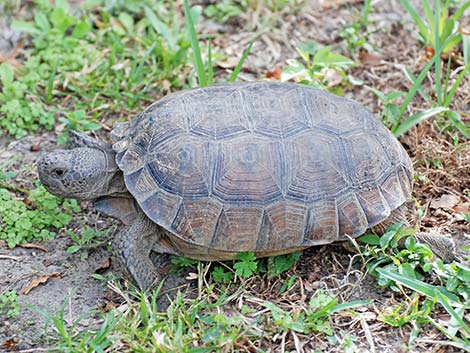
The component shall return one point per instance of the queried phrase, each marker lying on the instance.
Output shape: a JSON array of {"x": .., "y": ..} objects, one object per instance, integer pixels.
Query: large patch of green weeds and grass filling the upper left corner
[{"x": 87, "y": 63}]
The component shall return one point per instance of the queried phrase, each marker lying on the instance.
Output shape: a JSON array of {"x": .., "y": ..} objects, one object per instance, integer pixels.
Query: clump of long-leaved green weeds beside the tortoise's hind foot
[{"x": 414, "y": 266}]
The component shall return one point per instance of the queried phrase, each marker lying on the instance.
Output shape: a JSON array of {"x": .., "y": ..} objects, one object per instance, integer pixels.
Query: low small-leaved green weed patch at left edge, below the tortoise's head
[{"x": 22, "y": 221}]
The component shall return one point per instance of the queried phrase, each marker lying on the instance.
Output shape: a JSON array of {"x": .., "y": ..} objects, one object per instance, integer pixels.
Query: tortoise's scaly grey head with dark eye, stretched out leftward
[{"x": 84, "y": 172}]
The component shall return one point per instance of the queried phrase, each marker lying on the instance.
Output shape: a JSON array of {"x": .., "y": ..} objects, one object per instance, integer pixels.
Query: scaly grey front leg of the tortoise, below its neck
[{"x": 132, "y": 247}]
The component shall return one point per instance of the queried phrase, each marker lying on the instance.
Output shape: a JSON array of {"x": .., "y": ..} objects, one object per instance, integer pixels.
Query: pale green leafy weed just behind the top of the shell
[{"x": 320, "y": 68}]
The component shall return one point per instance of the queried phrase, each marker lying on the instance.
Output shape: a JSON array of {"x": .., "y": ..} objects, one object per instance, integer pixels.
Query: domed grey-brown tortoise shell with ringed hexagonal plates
[{"x": 263, "y": 167}]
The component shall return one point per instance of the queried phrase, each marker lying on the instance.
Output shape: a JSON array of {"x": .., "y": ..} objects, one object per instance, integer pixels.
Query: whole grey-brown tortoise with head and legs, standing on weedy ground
[{"x": 265, "y": 167}]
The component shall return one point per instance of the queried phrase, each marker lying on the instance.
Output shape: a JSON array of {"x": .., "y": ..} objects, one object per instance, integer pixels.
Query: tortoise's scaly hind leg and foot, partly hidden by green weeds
[{"x": 441, "y": 245}]
